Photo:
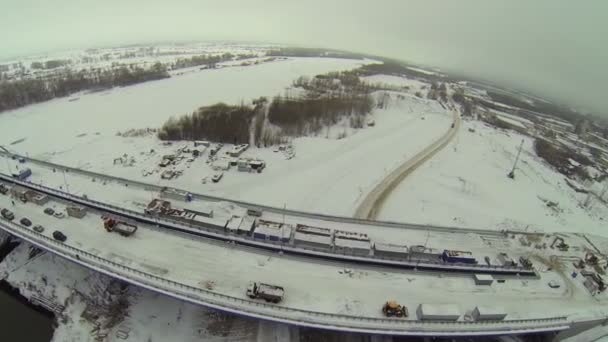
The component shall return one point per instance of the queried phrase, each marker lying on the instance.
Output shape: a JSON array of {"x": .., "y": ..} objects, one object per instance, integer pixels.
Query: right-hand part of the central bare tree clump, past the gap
[{"x": 304, "y": 116}]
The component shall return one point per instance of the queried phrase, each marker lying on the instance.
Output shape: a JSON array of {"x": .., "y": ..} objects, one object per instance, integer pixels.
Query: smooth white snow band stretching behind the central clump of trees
[{"x": 54, "y": 125}]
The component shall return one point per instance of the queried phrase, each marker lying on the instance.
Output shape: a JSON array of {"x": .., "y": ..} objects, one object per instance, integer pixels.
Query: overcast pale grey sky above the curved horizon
[{"x": 554, "y": 47}]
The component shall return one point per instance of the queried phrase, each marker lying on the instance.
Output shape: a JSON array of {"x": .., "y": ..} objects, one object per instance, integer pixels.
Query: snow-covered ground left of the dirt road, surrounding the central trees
[{"x": 327, "y": 175}]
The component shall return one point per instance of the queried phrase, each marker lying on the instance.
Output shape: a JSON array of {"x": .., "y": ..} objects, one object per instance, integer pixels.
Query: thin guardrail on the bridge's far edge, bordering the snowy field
[{"x": 249, "y": 205}]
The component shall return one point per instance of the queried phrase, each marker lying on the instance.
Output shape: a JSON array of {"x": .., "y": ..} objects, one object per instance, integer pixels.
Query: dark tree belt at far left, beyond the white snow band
[{"x": 15, "y": 94}]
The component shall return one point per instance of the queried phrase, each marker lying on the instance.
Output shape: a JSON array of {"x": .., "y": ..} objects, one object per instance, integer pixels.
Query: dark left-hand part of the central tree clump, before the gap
[{"x": 219, "y": 123}]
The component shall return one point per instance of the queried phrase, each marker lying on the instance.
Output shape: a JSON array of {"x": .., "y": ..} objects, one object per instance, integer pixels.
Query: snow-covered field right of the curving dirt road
[{"x": 466, "y": 185}]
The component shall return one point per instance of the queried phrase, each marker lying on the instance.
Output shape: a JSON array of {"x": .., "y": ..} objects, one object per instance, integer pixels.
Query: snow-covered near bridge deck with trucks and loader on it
[{"x": 319, "y": 294}]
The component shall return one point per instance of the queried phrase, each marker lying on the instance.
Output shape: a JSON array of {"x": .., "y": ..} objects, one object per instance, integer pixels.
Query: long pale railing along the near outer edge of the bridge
[{"x": 273, "y": 312}]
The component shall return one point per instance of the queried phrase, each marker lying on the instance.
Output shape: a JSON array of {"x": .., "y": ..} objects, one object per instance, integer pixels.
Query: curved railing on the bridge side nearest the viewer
[{"x": 207, "y": 297}]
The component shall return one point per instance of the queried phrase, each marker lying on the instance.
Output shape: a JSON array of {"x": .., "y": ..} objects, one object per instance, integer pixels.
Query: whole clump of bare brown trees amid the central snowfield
[{"x": 327, "y": 100}]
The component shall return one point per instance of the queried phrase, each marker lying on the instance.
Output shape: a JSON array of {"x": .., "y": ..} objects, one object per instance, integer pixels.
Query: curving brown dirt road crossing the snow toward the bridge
[{"x": 372, "y": 203}]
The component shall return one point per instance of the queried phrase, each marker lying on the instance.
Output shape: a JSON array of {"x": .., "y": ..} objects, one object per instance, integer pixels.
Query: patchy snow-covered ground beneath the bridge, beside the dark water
[{"x": 149, "y": 316}]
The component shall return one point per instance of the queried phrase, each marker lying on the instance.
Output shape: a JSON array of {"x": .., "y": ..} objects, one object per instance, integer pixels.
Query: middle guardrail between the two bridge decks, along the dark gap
[{"x": 214, "y": 233}]
